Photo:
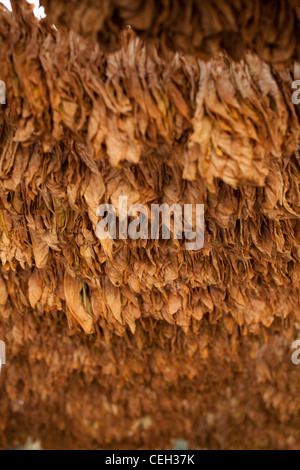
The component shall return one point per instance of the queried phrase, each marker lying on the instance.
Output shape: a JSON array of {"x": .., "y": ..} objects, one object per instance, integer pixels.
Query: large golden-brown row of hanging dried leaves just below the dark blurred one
[{"x": 221, "y": 118}]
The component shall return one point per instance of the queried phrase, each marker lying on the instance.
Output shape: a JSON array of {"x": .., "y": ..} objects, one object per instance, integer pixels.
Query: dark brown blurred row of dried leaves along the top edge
[{"x": 196, "y": 27}]
